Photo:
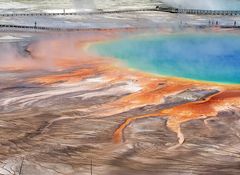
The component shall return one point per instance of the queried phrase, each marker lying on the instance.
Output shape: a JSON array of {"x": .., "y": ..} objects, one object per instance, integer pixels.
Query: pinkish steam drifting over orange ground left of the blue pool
[{"x": 47, "y": 53}]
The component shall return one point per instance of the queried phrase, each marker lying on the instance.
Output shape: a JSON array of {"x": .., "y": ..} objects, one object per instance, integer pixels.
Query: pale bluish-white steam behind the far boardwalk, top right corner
[{"x": 205, "y": 4}]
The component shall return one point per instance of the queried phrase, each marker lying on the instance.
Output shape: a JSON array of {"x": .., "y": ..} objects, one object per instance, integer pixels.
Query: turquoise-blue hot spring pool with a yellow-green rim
[{"x": 207, "y": 57}]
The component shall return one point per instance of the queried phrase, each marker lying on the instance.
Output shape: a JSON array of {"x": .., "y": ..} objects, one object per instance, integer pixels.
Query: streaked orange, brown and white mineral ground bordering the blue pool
[{"x": 86, "y": 108}]
